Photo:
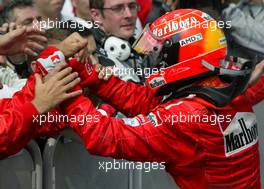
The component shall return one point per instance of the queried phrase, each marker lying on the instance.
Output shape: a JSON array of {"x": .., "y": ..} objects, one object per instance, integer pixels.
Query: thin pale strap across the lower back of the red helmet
[{"x": 223, "y": 71}]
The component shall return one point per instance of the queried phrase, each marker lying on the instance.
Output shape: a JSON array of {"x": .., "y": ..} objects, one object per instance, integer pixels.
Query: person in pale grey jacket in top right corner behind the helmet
[{"x": 246, "y": 36}]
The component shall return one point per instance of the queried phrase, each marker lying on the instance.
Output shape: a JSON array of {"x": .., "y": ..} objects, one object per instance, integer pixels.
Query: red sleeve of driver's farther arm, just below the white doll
[{"x": 129, "y": 98}]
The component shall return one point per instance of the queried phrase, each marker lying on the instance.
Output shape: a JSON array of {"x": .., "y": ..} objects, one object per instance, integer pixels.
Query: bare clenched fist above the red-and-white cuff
[{"x": 72, "y": 44}]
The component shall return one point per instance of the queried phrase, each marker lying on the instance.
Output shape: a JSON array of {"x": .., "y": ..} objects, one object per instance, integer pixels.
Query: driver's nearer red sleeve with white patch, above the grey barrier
[{"x": 137, "y": 139}]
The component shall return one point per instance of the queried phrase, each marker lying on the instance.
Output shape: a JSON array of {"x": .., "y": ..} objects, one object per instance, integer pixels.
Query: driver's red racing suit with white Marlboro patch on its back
[{"x": 203, "y": 146}]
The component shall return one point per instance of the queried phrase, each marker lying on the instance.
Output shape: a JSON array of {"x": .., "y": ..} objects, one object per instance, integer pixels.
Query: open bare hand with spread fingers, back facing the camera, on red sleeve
[{"x": 53, "y": 91}]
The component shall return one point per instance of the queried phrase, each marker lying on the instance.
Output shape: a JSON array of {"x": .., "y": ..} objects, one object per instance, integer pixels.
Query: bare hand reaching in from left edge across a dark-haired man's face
[{"x": 19, "y": 39}]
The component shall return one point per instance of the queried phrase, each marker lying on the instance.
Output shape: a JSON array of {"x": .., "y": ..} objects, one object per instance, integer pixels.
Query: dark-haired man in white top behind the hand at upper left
[{"x": 15, "y": 69}]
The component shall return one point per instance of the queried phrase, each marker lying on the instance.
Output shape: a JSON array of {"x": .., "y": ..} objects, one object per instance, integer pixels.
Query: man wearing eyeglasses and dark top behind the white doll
[{"x": 117, "y": 18}]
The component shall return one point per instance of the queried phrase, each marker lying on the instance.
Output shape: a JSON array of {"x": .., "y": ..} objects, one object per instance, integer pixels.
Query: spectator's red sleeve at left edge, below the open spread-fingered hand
[{"x": 16, "y": 128}]
